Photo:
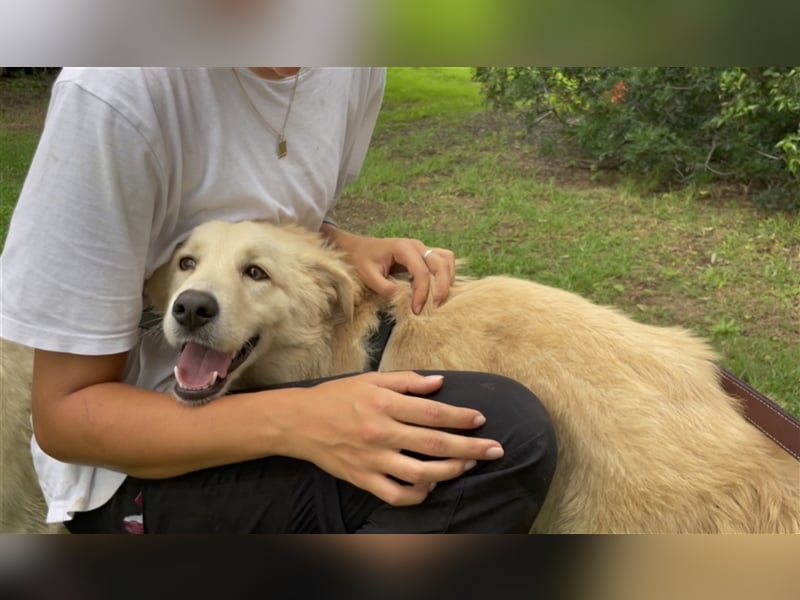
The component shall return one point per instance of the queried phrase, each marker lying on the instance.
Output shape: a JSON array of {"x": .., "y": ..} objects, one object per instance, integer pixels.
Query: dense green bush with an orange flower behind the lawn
[{"x": 669, "y": 125}]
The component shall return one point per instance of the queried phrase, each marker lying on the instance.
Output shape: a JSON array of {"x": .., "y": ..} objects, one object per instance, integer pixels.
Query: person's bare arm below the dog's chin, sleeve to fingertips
[{"x": 352, "y": 427}]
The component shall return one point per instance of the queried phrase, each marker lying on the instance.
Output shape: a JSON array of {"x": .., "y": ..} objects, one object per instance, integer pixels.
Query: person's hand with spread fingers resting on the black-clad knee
[{"x": 355, "y": 428}]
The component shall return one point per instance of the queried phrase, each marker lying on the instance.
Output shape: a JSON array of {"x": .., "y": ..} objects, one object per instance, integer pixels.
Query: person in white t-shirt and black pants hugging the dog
[{"x": 129, "y": 161}]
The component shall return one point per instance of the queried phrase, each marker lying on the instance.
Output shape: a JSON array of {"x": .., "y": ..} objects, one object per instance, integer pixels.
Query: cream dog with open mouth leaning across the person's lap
[{"x": 648, "y": 441}]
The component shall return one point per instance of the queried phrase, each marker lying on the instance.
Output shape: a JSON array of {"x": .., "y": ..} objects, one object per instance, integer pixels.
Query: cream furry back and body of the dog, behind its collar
[{"x": 649, "y": 442}]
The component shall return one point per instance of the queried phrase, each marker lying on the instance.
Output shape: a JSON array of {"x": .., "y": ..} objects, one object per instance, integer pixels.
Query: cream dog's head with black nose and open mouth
[{"x": 235, "y": 291}]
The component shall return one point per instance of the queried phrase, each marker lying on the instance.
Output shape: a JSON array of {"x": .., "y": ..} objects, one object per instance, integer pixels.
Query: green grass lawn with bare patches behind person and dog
[{"x": 443, "y": 169}]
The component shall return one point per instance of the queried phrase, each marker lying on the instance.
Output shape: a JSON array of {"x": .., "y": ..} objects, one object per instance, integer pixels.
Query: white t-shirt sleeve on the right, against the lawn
[{"x": 370, "y": 83}]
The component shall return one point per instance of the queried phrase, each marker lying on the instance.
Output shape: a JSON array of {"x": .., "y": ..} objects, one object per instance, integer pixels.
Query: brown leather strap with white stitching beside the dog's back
[{"x": 772, "y": 420}]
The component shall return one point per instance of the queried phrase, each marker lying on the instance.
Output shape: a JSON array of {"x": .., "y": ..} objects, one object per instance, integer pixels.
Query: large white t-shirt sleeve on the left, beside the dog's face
[{"x": 72, "y": 269}]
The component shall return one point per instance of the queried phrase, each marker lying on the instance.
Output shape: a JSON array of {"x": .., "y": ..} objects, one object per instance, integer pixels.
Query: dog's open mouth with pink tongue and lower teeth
[{"x": 202, "y": 372}]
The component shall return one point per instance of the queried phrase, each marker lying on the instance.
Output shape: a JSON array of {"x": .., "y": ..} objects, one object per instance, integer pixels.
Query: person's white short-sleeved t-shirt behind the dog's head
[{"x": 129, "y": 161}]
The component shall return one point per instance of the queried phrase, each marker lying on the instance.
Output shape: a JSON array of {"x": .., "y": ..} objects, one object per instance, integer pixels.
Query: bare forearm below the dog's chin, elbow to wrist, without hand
[{"x": 151, "y": 435}]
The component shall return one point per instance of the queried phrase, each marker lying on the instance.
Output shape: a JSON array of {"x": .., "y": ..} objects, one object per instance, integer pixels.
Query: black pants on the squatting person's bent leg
[{"x": 283, "y": 495}]
